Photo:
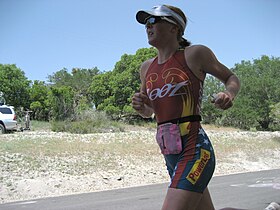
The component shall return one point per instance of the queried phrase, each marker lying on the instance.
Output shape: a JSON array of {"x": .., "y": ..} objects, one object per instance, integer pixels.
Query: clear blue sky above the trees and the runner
[{"x": 43, "y": 36}]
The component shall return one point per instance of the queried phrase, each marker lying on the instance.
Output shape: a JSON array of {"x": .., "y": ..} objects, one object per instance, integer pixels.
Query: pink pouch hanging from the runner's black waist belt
[{"x": 169, "y": 139}]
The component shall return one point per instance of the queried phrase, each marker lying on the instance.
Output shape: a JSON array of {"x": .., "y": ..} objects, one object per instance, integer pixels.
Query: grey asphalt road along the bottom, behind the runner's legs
[{"x": 249, "y": 191}]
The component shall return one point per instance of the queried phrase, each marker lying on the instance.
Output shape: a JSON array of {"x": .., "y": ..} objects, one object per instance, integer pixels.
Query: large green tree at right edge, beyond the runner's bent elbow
[{"x": 259, "y": 93}]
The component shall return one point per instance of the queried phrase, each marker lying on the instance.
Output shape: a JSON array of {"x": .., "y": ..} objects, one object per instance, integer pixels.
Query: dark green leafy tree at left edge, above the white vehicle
[{"x": 14, "y": 86}]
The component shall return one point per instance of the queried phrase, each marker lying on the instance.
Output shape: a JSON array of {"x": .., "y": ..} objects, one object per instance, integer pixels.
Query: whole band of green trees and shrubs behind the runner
[{"x": 73, "y": 96}]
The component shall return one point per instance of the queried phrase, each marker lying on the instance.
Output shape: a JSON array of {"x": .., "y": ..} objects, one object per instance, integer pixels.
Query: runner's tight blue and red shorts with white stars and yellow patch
[{"x": 193, "y": 168}]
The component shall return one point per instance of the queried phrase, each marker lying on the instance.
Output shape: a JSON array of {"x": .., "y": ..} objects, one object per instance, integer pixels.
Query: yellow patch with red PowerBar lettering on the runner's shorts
[{"x": 198, "y": 166}]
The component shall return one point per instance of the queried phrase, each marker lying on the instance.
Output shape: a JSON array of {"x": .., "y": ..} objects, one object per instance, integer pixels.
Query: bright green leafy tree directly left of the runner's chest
[{"x": 112, "y": 91}]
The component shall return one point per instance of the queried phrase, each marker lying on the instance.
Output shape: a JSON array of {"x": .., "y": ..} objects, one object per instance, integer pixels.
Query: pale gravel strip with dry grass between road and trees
[{"x": 33, "y": 165}]
